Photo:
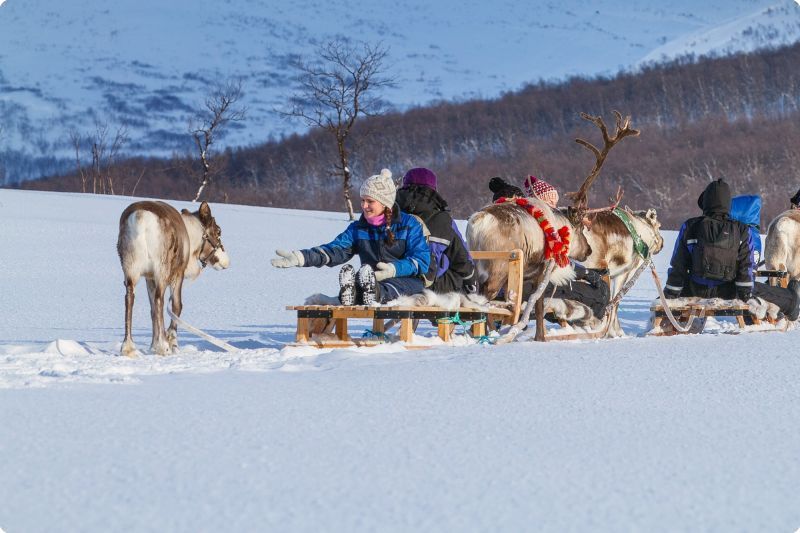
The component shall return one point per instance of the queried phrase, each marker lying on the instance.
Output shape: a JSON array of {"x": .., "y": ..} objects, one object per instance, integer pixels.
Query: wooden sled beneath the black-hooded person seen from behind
[{"x": 744, "y": 318}]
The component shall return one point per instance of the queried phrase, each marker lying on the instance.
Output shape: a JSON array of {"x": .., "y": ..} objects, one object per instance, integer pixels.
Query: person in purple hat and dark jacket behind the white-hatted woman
[{"x": 451, "y": 268}]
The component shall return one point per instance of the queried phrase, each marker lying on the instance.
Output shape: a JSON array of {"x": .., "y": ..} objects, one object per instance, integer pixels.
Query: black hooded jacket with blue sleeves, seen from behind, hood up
[{"x": 713, "y": 249}]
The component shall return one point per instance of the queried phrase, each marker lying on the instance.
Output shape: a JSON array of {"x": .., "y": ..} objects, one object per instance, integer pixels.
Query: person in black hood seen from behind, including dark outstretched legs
[{"x": 713, "y": 257}]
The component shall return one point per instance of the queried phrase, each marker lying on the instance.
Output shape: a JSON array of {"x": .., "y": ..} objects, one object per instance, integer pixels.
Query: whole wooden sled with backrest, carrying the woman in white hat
[{"x": 326, "y": 326}]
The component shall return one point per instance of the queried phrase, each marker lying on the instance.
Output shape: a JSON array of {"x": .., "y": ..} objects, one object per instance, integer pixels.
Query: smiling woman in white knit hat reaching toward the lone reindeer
[{"x": 389, "y": 243}]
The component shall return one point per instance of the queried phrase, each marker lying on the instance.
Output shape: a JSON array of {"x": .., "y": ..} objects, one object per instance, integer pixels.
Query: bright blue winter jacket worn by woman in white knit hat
[{"x": 409, "y": 253}]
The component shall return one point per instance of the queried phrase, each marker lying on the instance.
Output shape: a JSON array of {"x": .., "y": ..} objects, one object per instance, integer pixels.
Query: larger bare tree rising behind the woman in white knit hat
[{"x": 334, "y": 90}]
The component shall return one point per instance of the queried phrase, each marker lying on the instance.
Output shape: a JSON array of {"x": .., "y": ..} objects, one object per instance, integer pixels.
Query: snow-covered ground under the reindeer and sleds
[{"x": 688, "y": 433}]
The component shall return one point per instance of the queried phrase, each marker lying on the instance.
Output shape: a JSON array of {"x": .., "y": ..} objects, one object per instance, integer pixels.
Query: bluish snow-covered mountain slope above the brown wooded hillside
[{"x": 148, "y": 64}]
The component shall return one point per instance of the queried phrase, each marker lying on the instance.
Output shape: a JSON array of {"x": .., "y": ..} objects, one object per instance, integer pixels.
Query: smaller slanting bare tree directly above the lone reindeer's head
[{"x": 220, "y": 110}]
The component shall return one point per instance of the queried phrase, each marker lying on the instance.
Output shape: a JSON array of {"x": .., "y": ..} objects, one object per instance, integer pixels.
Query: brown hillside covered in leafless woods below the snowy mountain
[{"x": 734, "y": 117}]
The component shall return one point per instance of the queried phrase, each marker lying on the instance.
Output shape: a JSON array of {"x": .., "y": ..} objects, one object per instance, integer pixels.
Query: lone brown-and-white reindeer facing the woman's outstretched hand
[{"x": 164, "y": 246}]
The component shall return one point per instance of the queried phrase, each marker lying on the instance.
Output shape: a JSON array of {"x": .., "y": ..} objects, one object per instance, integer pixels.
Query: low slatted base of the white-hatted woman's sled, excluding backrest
[{"x": 406, "y": 316}]
